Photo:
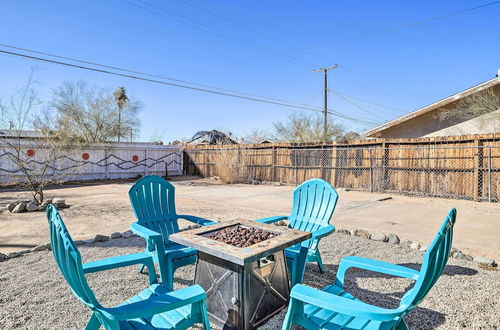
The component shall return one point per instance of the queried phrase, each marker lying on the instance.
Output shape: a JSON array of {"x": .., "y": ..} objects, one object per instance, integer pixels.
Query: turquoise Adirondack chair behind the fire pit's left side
[{"x": 153, "y": 202}]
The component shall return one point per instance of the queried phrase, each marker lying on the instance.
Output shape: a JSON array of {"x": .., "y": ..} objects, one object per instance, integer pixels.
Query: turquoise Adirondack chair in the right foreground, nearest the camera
[{"x": 334, "y": 308}]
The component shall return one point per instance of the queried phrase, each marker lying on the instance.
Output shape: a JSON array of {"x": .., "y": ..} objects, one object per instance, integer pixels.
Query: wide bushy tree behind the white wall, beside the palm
[{"x": 91, "y": 115}]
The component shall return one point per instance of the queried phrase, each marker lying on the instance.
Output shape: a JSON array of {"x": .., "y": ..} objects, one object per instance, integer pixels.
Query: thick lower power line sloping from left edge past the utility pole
[{"x": 363, "y": 121}]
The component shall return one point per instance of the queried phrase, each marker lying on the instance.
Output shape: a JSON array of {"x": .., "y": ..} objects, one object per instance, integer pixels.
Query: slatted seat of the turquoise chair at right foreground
[{"x": 325, "y": 319}]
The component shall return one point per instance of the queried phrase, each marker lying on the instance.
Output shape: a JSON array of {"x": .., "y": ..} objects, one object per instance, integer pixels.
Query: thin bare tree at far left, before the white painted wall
[{"x": 32, "y": 152}]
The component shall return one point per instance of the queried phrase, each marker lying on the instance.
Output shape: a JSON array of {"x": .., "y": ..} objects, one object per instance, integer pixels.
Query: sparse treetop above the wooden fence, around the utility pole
[{"x": 307, "y": 128}]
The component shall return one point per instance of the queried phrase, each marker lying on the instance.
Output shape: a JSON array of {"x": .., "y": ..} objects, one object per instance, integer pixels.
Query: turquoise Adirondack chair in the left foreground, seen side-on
[{"x": 154, "y": 308}]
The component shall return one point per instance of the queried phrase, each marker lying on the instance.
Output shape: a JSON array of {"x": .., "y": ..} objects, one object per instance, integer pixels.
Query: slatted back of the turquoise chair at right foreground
[{"x": 433, "y": 263}]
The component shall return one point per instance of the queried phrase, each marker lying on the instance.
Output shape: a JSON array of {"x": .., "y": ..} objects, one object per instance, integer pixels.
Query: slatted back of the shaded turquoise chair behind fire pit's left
[{"x": 153, "y": 202}]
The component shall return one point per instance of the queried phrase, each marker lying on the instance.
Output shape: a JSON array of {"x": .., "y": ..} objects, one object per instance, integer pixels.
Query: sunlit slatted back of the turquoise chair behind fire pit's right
[{"x": 313, "y": 204}]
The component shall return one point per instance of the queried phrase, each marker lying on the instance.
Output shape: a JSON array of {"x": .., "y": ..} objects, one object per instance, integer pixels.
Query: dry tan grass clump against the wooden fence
[{"x": 229, "y": 165}]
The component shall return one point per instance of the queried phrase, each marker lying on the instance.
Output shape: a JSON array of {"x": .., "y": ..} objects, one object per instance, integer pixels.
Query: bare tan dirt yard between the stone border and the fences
[{"x": 105, "y": 208}]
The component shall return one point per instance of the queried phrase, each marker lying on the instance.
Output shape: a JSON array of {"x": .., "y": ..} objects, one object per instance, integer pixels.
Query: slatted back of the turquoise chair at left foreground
[{"x": 68, "y": 258}]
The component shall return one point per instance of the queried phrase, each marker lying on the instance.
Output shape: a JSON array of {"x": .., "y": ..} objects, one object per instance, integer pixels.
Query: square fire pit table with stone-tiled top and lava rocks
[{"x": 245, "y": 285}]
